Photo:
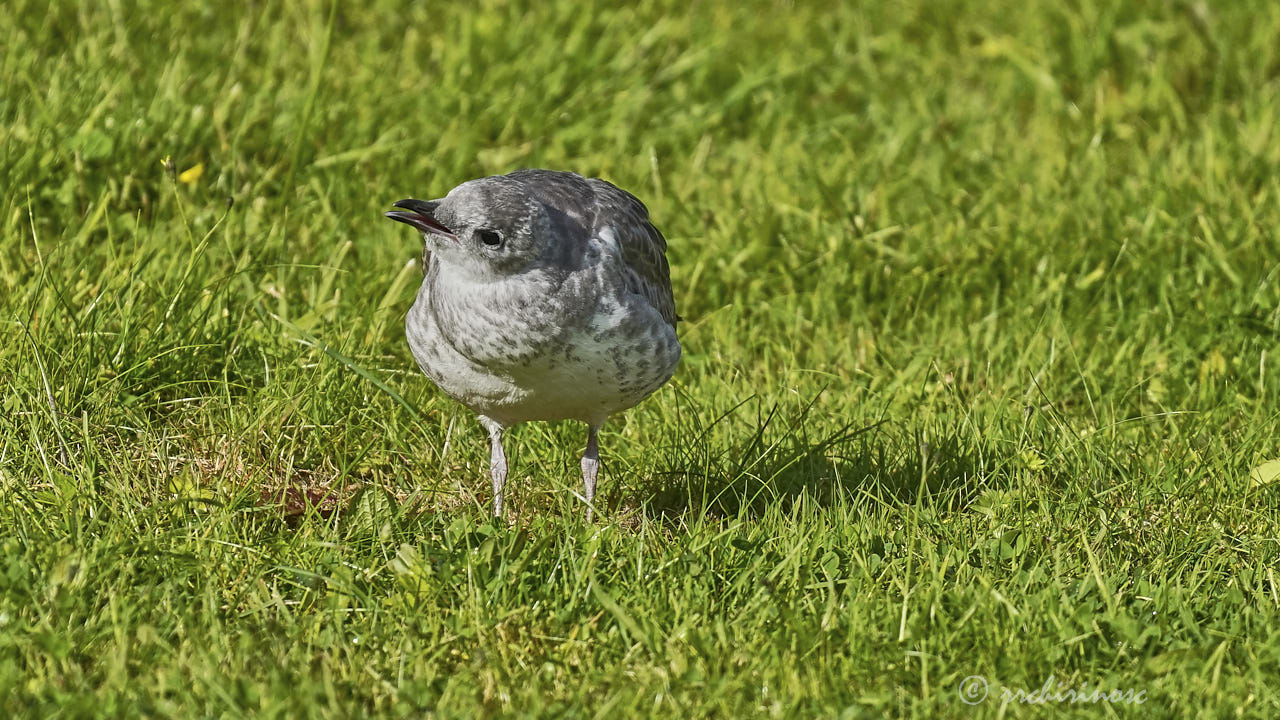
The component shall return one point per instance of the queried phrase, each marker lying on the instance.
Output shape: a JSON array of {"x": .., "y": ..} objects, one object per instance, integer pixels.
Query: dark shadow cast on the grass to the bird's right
[{"x": 781, "y": 463}]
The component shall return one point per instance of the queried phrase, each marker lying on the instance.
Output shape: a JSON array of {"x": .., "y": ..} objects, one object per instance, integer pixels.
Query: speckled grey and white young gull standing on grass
[{"x": 546, "y": 297}]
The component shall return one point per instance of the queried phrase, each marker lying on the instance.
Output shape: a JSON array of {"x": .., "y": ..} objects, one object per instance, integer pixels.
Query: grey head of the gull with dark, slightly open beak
[{"x": 488, "y": 227}]
